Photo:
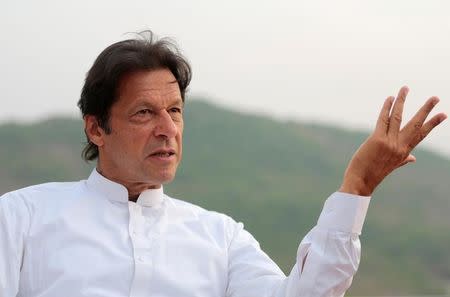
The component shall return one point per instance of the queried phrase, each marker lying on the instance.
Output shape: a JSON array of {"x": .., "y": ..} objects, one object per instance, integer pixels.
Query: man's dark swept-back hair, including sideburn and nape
[{"x": 142, "y": 53}]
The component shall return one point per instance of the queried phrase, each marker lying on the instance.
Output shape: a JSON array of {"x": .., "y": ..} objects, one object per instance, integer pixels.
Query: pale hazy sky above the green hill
[{"x": 327, "y": 61}]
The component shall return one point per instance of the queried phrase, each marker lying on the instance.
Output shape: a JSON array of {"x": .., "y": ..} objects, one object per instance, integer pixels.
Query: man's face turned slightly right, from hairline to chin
[{"x": 145, "y": 144}]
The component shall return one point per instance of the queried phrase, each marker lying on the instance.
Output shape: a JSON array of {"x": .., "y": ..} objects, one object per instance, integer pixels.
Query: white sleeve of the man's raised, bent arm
[{"x": 327, "y": 257}]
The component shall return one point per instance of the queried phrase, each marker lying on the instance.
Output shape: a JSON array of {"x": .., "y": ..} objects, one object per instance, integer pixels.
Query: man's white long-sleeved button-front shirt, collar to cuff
[{"x": 85, "y": 239}]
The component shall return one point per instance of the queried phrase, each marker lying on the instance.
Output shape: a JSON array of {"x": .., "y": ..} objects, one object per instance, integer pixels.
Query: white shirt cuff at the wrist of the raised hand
[{"x": 344, "y": 212}]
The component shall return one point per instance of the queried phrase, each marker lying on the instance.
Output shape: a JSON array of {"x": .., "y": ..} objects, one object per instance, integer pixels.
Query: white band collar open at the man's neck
[{"x": 117, "y": 192}]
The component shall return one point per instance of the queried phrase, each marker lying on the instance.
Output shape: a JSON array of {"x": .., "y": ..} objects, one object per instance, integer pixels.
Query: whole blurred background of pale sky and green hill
[{"x": 283, "y": 93}]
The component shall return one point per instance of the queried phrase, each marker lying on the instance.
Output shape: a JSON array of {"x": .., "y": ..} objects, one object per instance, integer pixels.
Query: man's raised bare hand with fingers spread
[{"x": 388, "y": 147}]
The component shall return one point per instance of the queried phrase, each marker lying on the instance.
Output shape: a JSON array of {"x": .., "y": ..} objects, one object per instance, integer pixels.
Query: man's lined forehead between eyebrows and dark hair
[{"x": 153, "y": 86}]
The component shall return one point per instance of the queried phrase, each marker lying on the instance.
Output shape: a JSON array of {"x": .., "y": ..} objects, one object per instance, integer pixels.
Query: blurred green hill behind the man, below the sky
[{"x": 274, "y": 176}]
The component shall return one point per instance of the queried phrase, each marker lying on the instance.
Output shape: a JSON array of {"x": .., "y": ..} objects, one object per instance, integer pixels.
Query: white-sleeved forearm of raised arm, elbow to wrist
[{"x": 329, "y": 255}]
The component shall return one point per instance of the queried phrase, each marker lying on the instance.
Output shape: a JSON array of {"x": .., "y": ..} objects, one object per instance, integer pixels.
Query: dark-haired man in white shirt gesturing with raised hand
[{"x": 118, "y": 234}]
